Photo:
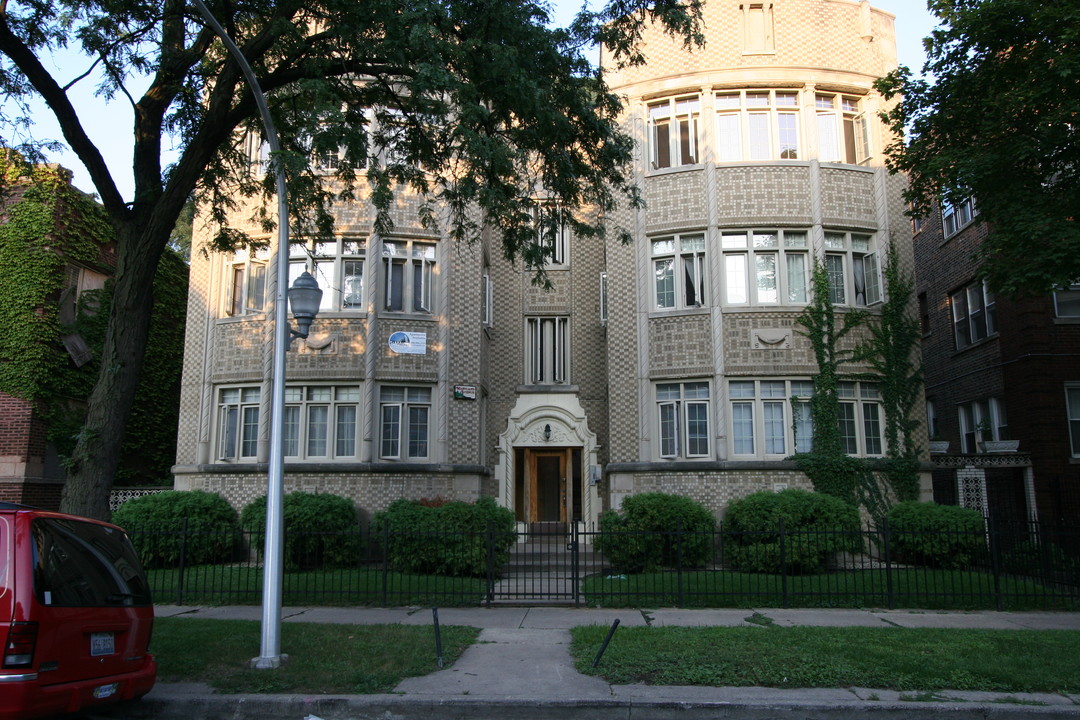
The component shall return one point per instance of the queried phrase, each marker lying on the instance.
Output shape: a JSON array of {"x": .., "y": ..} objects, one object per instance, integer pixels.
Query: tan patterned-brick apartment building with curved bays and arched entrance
[{"x": 666, "y": 364}]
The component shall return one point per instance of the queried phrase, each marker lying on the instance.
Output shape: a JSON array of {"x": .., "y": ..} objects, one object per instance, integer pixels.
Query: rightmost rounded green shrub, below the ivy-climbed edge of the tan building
[{"x": 936, "y": 536}]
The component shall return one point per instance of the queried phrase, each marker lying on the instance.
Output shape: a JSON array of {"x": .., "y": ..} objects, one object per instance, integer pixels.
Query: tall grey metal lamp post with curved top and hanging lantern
[{"x": 305, "y": 296}]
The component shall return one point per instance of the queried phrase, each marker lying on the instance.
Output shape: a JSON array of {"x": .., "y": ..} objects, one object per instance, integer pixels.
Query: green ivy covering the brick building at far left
[{"x": 47, "y": 227}]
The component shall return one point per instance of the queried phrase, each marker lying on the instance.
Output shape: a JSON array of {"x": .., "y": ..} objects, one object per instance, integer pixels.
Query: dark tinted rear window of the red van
[{"x": 86, "y": 565}]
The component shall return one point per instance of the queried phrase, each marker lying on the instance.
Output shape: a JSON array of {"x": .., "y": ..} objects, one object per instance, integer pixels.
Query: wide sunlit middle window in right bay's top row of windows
[{"x": 758, "y": 125}]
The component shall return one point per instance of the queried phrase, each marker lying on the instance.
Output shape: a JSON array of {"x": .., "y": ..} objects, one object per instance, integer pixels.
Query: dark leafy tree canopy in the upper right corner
[{"x": 1000, "y": 125}]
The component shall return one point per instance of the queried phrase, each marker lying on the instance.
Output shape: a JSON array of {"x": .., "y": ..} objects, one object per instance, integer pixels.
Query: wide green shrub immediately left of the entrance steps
[{"x": 447, "y": 539}]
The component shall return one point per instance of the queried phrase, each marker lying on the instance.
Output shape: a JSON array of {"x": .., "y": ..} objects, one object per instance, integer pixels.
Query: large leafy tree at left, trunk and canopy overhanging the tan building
[{"x": 480, "y": 103}]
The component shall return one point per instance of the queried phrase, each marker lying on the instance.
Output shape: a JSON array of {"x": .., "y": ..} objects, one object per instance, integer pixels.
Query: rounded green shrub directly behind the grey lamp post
[{"x": 321, "y": 531}]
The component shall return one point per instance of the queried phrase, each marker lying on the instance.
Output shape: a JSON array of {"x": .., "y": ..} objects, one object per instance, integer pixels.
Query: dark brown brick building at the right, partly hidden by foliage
[{"x": 997, "y": 370}]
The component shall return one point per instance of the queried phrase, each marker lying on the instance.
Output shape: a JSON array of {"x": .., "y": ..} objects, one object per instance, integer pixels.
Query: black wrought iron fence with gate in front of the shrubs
[{"x": 1018, "y": 566}]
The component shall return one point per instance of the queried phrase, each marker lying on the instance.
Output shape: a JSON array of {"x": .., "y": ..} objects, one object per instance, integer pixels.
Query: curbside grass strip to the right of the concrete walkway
[{"x": 888, "y": 659}]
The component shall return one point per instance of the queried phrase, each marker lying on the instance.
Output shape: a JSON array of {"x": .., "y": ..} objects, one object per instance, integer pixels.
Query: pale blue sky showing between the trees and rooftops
[{"x": 110, "y": 125}]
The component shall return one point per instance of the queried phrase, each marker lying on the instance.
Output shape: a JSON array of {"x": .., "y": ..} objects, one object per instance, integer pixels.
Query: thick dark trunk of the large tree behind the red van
[{"x": 97, "y": 456}]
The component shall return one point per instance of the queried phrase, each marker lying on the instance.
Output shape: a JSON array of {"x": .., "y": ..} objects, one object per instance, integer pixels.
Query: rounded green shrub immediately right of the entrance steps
[{"x": 657, "y": 531}]
